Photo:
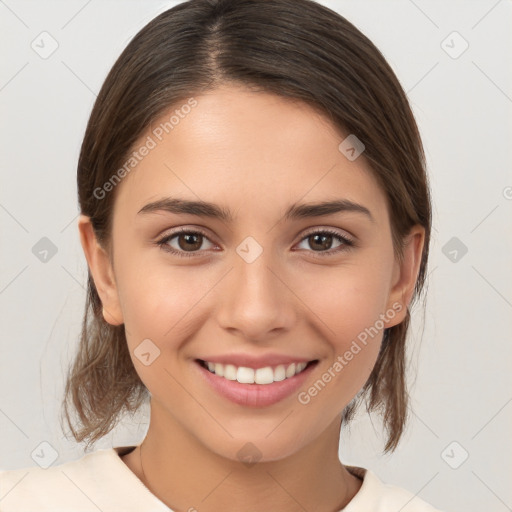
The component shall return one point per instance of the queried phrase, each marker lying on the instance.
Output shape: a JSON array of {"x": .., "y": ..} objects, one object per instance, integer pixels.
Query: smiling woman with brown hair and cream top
[{"x": 255, "y": 216}]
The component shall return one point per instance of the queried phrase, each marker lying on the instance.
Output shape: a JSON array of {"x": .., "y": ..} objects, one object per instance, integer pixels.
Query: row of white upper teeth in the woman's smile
[{"x": 265, "y": 375}]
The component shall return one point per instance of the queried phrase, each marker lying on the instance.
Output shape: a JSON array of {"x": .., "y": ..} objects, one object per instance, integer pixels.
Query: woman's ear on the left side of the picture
[{"x": 101, "y": 271}]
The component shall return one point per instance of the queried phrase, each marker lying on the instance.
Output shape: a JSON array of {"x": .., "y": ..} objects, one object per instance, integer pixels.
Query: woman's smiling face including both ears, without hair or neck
[{"x": 269, "y": 283}]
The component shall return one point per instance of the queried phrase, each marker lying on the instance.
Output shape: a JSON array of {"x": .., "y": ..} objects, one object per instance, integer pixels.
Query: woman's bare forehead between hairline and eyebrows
[{"x": 251, "y": 151}]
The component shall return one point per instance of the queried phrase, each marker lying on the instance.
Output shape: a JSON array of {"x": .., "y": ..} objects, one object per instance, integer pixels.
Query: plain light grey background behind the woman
[{"x": 460, "y": 365}]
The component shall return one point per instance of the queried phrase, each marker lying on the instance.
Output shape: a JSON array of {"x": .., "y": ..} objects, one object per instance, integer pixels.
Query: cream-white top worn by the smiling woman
[{"x": 101, "y": 481}]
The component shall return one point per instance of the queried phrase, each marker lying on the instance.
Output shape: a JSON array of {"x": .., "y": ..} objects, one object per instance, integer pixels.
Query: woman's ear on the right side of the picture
[{"x": 405, "y": 274}]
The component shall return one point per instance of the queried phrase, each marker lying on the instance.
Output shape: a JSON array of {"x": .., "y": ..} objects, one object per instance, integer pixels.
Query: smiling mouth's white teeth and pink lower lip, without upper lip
[{"x": 255, "y": 387}]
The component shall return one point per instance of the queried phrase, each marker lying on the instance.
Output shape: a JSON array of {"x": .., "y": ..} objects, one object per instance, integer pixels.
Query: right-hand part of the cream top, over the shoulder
[{"x": 379, "y": 496}]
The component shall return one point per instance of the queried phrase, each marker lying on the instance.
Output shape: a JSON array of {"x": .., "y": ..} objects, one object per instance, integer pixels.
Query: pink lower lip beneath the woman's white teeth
[{"x": 255, "y": 395}]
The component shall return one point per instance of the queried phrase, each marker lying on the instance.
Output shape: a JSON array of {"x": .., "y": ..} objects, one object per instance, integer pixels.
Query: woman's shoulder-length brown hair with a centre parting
[{"x": 293, "y": 48}]
